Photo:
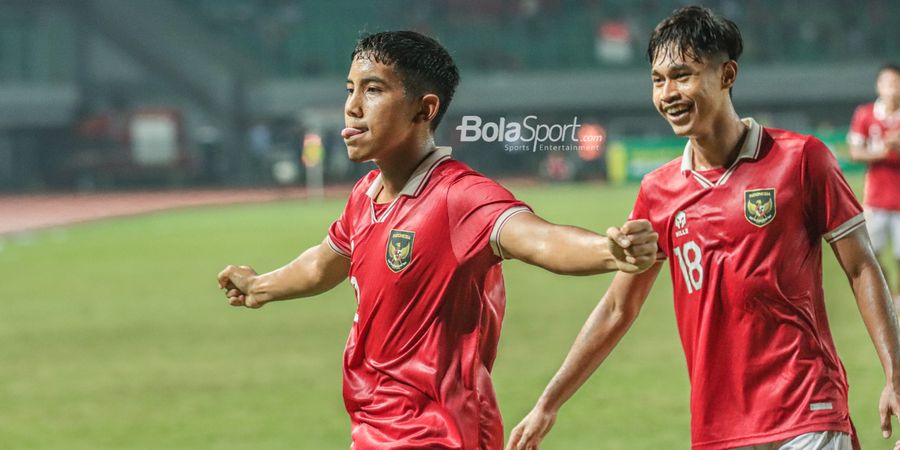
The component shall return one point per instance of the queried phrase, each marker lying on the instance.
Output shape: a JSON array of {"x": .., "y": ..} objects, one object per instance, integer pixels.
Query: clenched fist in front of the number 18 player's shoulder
[{"x": 633, "y": 246}]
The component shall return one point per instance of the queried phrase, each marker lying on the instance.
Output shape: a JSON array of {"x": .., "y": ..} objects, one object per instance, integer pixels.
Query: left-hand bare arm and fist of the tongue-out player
[{"x": 316, "y": 270}]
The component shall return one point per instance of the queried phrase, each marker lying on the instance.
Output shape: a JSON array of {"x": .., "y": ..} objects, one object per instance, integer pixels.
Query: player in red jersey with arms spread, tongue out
[{"x": 422, "y": 239}]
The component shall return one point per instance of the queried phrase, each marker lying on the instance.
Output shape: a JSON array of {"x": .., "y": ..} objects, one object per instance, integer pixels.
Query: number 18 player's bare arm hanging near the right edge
[{"x": 873, "y": 298}]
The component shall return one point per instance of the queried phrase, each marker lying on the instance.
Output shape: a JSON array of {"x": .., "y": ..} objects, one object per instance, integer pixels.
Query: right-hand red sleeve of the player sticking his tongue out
[{"x": 478, "y": 208}]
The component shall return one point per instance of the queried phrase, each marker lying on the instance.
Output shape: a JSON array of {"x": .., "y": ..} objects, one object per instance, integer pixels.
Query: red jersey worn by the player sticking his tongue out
[{"x": 431, "y": 298}]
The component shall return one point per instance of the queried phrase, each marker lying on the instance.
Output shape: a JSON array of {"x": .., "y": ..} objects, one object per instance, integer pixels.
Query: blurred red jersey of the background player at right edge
[{"x": 871, "y": 124}]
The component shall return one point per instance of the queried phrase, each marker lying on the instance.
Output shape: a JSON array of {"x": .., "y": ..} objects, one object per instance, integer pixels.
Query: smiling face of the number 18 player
[{"x": 691, "y": 95}]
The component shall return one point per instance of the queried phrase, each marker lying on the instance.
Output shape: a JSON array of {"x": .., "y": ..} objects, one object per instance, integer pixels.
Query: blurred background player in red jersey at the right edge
[{"x": 874, "y": 139}]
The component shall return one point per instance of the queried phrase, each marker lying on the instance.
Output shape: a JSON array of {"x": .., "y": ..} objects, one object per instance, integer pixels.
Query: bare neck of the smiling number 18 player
[{"x": 721, "y": 146}]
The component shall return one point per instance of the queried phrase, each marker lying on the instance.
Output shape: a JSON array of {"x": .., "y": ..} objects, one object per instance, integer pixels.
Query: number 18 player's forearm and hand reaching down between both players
[{"x": 604, "y": 328}]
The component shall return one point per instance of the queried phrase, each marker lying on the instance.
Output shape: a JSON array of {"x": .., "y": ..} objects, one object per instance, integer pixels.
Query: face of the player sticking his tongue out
[{"x": 379, "y": 116}]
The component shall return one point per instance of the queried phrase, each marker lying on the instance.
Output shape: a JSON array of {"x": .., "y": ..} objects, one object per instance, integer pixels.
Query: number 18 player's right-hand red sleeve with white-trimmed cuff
[{"x": 831, "y": 205}]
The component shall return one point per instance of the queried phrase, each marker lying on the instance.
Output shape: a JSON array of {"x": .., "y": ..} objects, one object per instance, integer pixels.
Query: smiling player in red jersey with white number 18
[{"x": 741, "y": 217}]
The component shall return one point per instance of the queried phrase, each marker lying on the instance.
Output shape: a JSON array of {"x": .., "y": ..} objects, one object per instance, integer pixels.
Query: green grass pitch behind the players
[{"x": 113, "y": 335}]
